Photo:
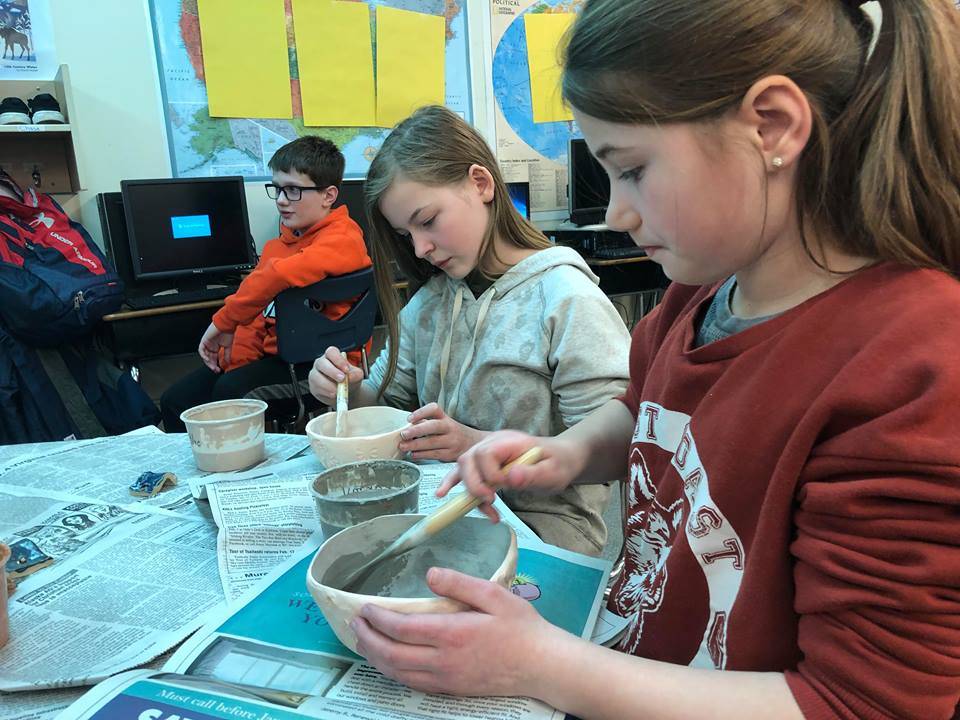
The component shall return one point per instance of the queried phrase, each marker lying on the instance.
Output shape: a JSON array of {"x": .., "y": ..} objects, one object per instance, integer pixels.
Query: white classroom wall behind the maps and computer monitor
[{"x": 121, "y": 133}]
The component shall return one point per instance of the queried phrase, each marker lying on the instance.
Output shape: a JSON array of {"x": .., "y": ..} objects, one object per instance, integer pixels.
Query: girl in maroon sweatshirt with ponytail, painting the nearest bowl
[{"x": 791, "y": 433}]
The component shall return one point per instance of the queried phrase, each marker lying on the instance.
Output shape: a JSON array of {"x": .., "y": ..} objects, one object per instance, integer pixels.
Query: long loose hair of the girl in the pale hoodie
[{"x": 434, "y": 147}]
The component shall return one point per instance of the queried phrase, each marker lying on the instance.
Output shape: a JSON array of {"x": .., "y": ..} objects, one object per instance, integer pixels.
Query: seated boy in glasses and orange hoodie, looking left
[{"x": 239, "y": 349}]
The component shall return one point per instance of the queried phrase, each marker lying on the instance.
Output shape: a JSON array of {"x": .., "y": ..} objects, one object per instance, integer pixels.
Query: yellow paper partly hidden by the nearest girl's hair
[{"x": 545, "y": 33}]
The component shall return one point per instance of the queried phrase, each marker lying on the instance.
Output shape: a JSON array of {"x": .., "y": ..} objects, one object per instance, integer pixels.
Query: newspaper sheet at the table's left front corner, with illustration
[{"x": 125, "y": 586}]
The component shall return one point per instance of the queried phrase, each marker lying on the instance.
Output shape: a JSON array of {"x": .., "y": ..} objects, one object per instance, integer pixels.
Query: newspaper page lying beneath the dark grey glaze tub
[{"x": 265, "y": 518}]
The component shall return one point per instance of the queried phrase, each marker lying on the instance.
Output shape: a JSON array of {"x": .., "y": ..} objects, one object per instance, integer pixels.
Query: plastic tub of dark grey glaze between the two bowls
[{"x": 356, "y": 492}]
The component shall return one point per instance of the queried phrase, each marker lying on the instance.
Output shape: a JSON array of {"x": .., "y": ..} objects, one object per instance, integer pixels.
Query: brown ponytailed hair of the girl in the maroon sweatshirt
[{"x": 881, "y": 171}]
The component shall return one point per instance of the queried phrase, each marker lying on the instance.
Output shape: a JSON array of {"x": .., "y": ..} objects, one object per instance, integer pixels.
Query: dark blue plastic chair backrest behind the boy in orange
[{"x": 304, "y": 332}]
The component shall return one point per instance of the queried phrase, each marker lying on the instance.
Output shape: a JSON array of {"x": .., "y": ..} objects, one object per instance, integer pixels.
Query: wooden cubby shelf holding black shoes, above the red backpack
[{"x": 45, "y": 151}]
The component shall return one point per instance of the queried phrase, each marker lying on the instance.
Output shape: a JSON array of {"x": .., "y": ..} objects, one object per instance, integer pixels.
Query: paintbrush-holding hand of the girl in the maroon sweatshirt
[{"x": 480, "y": 468}]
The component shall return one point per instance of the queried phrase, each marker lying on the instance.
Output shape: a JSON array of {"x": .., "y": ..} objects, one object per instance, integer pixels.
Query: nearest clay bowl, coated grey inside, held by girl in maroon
[{"x": 471, "y": 544}]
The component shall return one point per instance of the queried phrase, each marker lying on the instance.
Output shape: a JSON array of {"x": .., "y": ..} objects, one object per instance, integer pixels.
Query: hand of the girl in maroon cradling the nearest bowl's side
[{"x": 490, "y": 649}]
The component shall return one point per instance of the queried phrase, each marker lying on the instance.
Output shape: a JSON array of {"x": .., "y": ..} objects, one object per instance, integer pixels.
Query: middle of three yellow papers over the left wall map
[{"x": 335, "y": 60}]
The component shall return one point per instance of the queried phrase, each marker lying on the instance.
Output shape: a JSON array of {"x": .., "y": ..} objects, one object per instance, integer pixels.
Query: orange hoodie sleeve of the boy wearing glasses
[{"x": 337, "y": 249}]
